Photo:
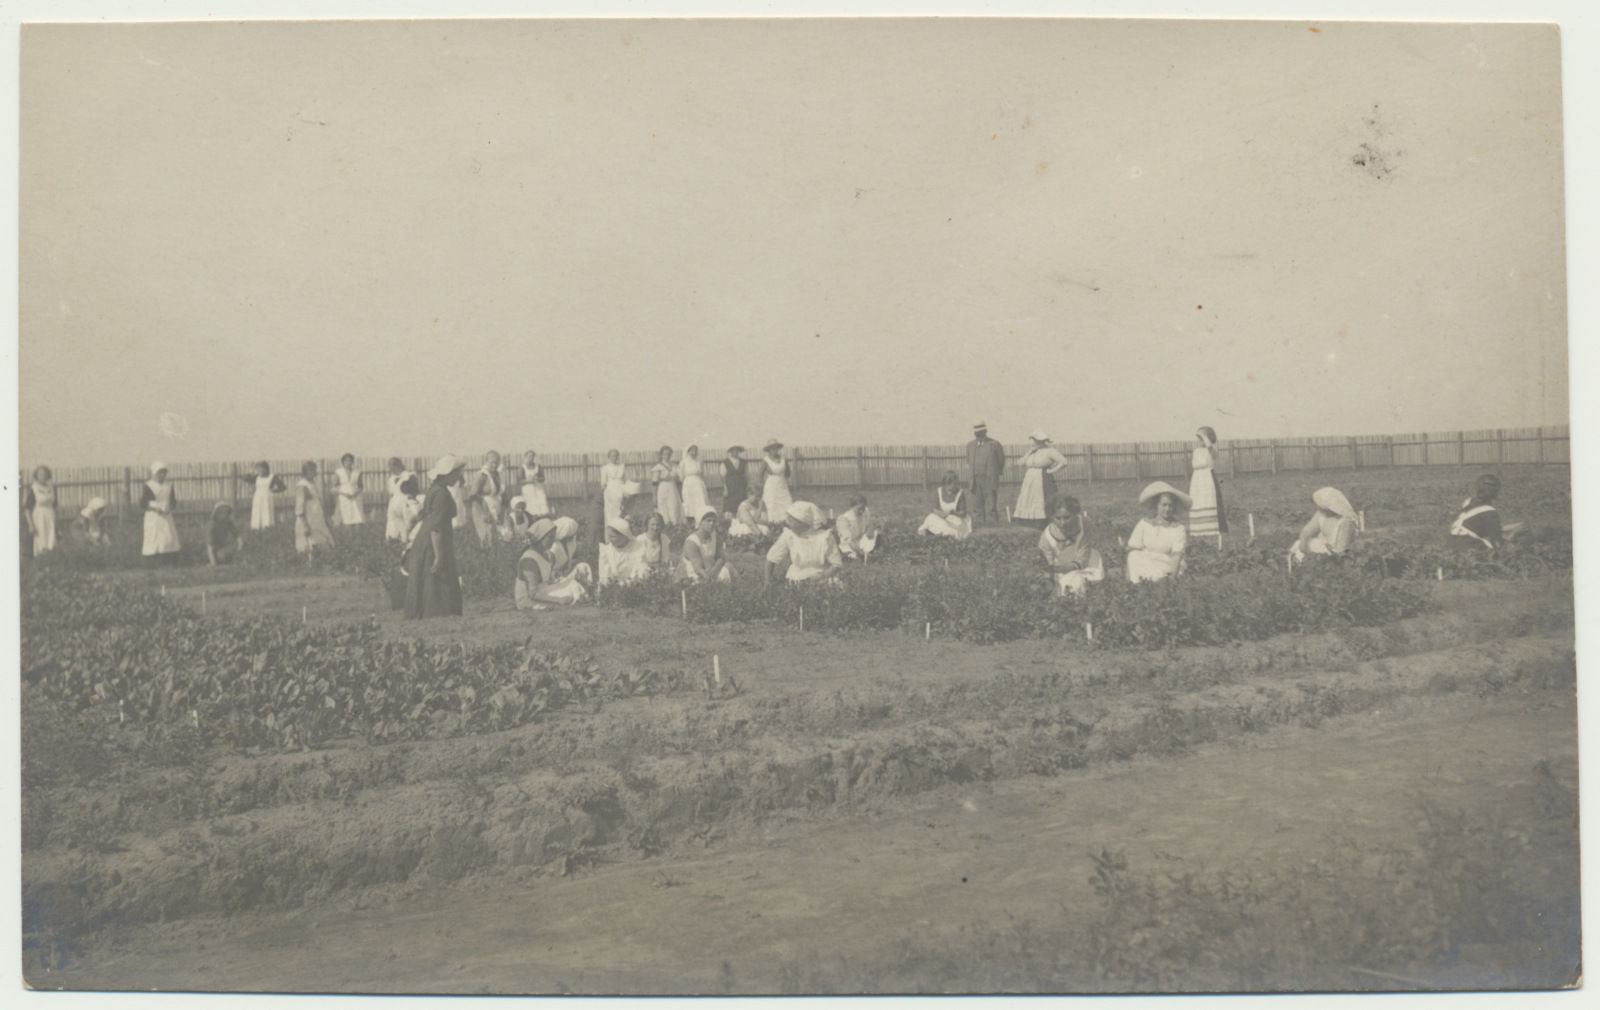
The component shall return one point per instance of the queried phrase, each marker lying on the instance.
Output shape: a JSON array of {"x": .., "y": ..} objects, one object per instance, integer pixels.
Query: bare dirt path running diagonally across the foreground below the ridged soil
[{"x": 849, "y": 905}]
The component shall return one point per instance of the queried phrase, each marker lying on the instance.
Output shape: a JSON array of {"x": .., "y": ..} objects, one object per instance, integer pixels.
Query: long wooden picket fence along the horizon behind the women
[{"x": 575, "y": 476}]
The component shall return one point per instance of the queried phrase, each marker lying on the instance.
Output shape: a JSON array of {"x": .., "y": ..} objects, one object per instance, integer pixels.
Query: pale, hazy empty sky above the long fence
[{"x": 262, "y": 239}]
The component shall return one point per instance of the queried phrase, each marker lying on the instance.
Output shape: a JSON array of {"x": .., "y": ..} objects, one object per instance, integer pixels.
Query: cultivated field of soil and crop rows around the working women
[{"x": 1375, "y": 800}]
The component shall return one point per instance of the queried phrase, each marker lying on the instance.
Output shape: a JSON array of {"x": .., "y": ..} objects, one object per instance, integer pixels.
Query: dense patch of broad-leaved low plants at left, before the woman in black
[{"x": 265, "y": 683}]
